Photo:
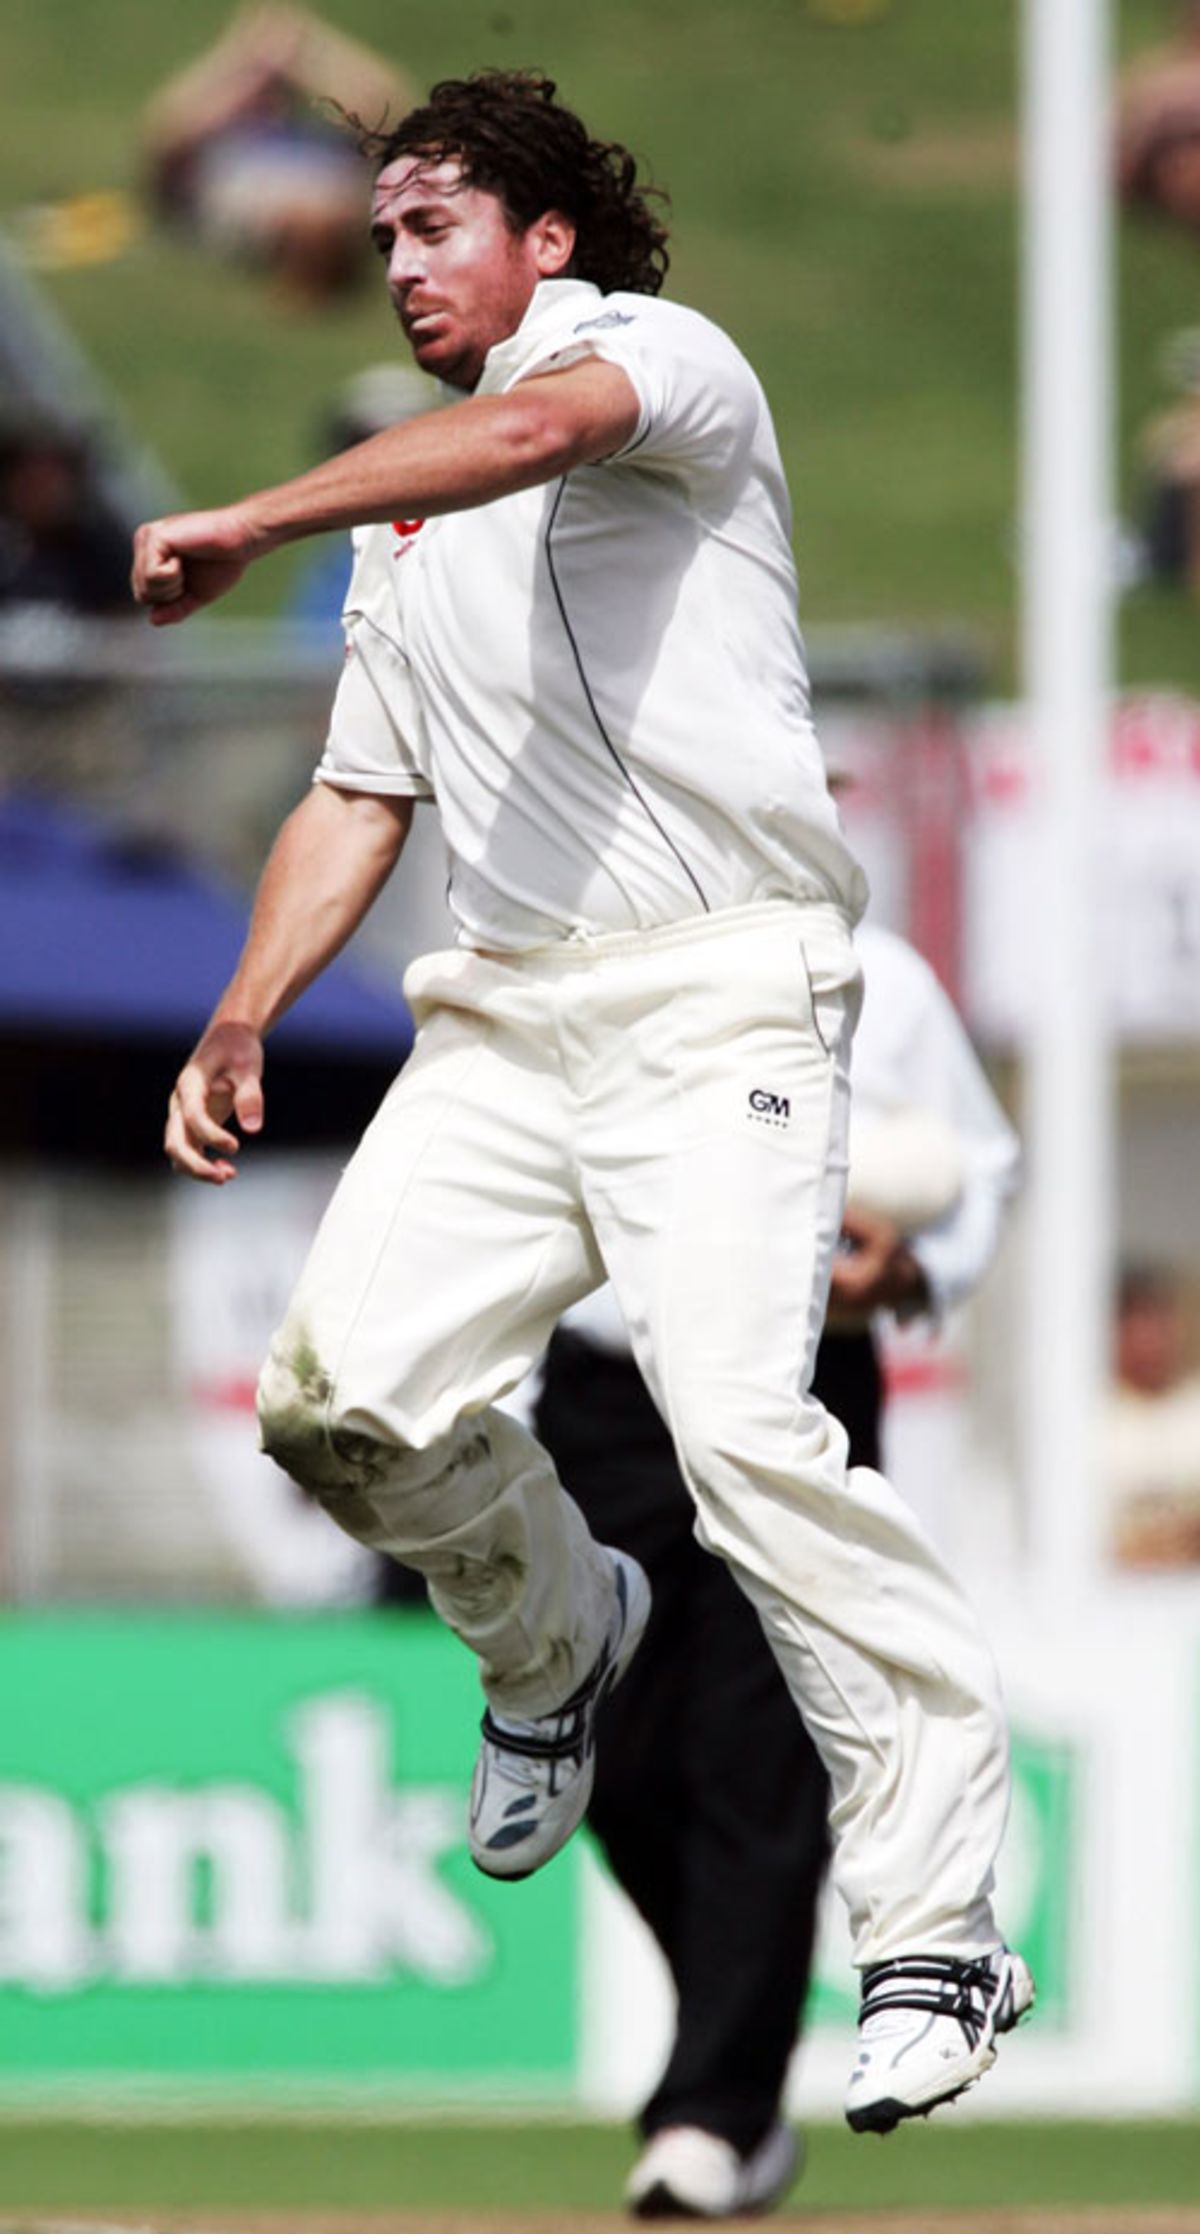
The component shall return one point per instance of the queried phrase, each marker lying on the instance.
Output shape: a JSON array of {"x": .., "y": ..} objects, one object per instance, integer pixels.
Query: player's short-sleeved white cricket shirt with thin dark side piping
[{"x": 602, "y": 680}]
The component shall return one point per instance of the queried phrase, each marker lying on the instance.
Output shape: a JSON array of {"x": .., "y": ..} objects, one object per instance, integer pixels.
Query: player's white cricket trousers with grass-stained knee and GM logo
[{"x": 667, "y": 1109}]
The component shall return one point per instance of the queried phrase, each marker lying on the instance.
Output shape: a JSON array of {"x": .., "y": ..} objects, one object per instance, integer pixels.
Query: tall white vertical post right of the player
[{"x": 1067, "y": 680}]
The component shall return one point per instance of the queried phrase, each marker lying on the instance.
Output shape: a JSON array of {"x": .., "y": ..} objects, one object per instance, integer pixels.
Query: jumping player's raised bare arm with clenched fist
[{"x": 446, "y": 461}]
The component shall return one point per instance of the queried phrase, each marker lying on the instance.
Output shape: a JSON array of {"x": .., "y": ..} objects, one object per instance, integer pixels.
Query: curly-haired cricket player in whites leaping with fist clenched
[{"x": 636, "y": 1060}]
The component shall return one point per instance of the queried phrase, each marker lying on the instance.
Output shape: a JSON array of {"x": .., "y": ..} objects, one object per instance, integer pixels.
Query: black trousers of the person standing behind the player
[{"x": 709, "y": 1799}]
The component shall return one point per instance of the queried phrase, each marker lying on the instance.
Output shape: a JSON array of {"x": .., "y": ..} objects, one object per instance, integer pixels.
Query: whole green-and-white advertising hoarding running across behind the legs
[{"x": 234, "y": 1871}]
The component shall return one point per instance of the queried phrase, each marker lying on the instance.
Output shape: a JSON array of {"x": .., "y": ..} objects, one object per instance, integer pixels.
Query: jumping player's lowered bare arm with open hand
[{"x": 325, "y": 868}]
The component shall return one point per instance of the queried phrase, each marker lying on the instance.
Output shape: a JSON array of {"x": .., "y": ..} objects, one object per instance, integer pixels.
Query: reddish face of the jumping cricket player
[{"x": 457, "y": 274}]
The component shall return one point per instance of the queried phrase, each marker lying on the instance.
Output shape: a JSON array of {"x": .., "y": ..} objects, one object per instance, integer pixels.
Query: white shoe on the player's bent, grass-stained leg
[{"x": 535, "y": 1779}]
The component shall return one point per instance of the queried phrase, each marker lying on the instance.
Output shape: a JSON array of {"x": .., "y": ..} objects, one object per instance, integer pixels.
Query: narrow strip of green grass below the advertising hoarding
[{"x": 513, "y": 2166}]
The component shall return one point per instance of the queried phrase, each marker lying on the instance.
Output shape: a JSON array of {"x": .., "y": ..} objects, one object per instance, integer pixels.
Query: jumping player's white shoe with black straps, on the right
[{"x": 928, "y": 2030}]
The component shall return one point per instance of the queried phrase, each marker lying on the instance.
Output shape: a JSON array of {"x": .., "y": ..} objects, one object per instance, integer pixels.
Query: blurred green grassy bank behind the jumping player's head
[{"x": 844, "y": 189}]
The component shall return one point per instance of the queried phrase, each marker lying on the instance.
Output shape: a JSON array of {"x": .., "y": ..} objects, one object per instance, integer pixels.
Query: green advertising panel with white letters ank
[{"x": 234, "y": 1855}]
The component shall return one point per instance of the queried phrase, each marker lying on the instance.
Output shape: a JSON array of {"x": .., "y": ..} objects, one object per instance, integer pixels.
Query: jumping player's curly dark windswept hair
[{"x": 517, "y": 142}]
